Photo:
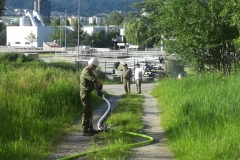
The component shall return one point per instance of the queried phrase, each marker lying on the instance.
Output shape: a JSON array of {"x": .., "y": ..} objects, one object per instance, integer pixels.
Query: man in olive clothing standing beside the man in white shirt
[{"x": 126, "y": 78}]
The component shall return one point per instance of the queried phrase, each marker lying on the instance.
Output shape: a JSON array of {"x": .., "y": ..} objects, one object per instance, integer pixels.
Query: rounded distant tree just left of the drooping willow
[{"x": 115, "y": 18}]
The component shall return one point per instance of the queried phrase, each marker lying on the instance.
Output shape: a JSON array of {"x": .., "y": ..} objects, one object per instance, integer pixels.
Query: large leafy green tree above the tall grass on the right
[{"x": 201, "y": 33}]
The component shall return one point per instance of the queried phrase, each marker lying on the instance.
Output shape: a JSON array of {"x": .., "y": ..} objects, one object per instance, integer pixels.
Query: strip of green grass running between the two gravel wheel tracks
[{"x": 126, "y": 117}]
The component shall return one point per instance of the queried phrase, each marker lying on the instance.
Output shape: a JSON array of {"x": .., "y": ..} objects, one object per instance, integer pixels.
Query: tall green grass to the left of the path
[{"x": 36, "y": 106}]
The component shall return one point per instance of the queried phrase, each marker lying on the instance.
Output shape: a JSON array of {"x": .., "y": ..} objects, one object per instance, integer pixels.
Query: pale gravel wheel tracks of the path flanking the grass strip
[{"x": 74, "y": 142}]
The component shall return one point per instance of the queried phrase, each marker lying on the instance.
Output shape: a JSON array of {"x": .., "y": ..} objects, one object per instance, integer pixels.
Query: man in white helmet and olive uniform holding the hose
[{"x": 87, "y": 82}]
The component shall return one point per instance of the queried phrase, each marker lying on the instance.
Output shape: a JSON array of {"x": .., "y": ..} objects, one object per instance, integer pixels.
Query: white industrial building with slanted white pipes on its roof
[{"x": 30, "y": 23}]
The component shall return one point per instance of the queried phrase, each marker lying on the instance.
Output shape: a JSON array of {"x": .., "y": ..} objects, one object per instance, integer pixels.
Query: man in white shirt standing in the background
[{"x": 139, "y": 72}]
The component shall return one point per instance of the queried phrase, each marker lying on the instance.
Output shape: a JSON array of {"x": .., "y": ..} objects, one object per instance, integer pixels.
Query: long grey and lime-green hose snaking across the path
[{"x": 101, "y": 128}]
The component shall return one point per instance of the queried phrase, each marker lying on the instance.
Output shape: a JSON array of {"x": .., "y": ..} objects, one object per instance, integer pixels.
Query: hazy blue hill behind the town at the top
[{"x": 87, "y": 7}]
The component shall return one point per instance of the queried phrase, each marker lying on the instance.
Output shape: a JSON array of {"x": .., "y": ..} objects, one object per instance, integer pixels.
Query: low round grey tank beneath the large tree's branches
[{"x": 173, "y": 66}]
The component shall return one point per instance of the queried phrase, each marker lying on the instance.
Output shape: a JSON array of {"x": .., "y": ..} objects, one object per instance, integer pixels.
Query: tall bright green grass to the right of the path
[{"x": 201, "y": 116}]
